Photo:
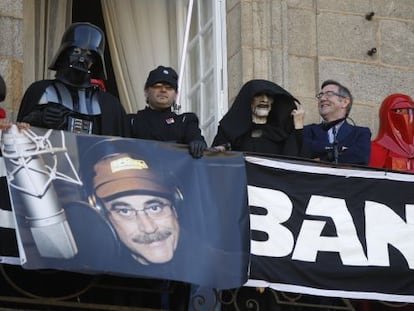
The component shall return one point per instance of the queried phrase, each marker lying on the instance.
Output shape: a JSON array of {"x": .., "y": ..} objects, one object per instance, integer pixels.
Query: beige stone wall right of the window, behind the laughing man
[{"x": 300, "y": 43}]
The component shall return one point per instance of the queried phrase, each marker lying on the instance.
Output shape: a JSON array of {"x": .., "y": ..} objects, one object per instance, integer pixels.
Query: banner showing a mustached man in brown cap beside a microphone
[{"x": 128, "y": 207}]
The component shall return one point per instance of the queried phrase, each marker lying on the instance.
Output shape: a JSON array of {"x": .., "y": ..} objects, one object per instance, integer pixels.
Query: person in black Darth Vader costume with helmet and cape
[{"x": 70, "y": 101}]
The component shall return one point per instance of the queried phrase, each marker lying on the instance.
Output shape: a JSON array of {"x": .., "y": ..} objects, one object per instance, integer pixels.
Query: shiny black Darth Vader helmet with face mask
[{"x": 82, "y": 47}]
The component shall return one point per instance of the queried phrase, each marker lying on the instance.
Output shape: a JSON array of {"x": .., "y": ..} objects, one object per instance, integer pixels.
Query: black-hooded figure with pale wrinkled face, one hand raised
[{"x": 248, "y": 127}]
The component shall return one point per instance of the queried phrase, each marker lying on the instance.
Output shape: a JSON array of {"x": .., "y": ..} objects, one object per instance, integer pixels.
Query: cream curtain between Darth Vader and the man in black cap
[{"x": 141, "y": 35}]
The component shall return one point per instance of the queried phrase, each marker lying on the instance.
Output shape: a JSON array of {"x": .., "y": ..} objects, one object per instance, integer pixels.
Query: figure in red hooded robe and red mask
[{"x": 393, "y": 148}]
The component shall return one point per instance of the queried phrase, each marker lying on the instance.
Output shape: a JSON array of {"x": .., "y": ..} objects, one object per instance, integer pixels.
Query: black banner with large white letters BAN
[{"x": 331, "y": 231}]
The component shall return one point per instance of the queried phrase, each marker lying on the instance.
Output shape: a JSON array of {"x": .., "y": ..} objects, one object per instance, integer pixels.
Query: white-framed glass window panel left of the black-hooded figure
[{"x": 204, "y": 87}]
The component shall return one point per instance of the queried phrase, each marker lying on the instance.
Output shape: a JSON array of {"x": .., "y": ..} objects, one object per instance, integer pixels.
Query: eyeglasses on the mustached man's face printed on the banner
[{"x": 155, "y": 211}]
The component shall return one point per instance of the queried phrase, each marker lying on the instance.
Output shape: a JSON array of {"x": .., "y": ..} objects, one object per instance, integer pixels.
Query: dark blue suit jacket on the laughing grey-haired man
[{"x": 354, "y": 143}]
